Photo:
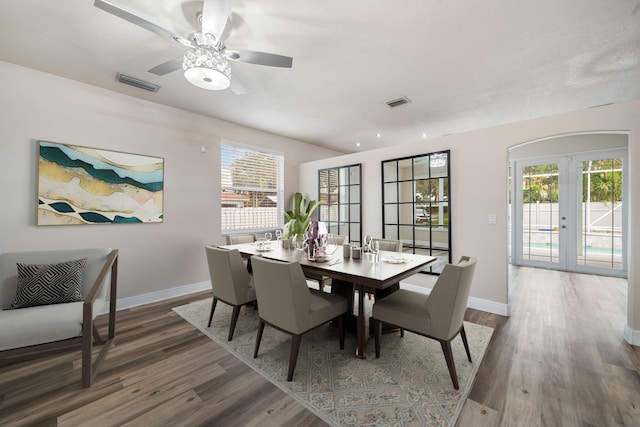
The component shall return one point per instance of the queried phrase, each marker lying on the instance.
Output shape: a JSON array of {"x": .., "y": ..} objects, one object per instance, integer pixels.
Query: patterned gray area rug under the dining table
[{"x": 409, "y": 385}]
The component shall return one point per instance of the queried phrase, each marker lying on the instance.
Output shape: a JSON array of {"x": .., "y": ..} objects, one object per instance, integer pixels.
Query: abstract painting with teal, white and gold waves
[{"x": 81, "y": 185}]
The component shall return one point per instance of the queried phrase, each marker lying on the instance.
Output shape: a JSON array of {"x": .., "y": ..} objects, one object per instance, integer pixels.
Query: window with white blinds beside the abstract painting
[{"x": 251, "y": 195}]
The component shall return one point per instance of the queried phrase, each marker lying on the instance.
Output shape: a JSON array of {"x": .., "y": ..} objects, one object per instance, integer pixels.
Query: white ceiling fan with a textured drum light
[{"x": 206, "y": 61}]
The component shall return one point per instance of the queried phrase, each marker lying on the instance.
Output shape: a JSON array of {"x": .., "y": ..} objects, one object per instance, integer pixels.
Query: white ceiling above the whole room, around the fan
[{"x": 465, "y": 64}]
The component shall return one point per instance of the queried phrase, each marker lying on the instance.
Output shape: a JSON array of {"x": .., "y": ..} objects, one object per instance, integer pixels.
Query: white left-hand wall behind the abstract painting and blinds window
[{"x": 153, "y": 257}]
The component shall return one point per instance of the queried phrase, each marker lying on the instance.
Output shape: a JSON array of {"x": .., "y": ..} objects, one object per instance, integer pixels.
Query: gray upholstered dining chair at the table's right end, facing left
[{"x": 439, "y": 315}]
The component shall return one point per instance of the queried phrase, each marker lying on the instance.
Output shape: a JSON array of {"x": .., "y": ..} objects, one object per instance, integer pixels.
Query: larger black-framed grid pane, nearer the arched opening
[{"x": 415, "y": 203}]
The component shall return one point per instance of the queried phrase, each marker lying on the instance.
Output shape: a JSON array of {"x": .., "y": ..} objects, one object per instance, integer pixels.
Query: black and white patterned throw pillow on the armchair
[{"x": 49, "y": 284}]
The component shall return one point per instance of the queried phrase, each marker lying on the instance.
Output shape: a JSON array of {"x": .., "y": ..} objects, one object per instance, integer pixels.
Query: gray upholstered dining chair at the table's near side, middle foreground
[{"x": 286, "y": 303}]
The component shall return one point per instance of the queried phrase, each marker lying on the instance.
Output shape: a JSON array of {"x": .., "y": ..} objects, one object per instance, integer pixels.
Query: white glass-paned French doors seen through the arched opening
[{"x": 569, "y": 213}]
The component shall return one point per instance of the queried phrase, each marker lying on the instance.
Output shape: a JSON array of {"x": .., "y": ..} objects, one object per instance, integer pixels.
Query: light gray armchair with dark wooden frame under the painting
[{"x": 34, "y": 329}]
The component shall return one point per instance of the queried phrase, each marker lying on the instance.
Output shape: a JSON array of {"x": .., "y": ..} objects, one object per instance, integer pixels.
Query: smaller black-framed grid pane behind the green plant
[{"x": 340, "y": 195}]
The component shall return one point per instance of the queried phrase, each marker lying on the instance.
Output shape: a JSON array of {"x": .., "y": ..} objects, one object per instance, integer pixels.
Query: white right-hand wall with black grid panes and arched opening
[{"x": 479, "y": 170}]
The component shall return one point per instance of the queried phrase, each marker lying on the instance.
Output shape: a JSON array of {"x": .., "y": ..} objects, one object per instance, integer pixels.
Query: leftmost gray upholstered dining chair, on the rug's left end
[{"x": 231, "y": 282}]
